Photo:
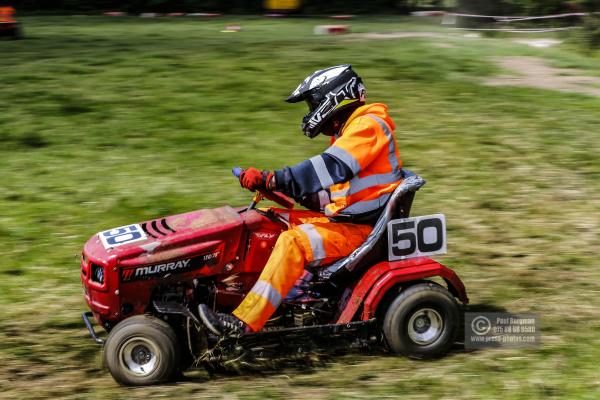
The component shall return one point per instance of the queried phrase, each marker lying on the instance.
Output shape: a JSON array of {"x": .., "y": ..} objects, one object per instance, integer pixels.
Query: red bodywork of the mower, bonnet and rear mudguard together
[{"x": 231, "y": 246}]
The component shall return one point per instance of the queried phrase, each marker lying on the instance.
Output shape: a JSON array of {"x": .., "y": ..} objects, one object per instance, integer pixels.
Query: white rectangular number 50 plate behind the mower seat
[{"x": 416, "y": 237}]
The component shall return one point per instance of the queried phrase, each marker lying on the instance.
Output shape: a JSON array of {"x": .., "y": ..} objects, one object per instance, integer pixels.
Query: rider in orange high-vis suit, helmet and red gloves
[{"x": 346, "y": 187}]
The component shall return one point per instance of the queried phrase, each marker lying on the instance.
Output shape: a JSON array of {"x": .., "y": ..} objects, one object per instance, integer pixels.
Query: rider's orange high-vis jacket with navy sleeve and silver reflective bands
[{"x": 356, "y": 175}]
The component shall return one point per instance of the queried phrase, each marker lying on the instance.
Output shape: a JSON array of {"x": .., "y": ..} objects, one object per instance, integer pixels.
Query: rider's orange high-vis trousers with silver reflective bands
[{"x": 311, "y": 239}]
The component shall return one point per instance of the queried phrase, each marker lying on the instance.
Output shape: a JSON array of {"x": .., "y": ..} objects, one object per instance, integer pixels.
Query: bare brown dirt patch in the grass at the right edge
[{"x": 533, "y": 72}]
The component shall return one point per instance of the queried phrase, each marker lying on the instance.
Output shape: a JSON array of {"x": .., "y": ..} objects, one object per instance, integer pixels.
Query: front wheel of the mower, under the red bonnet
[{"x": 142, "y": 350}]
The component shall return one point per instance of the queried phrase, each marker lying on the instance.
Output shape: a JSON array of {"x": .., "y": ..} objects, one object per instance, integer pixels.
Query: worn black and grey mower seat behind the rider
[{"x": 374, "y": 247}]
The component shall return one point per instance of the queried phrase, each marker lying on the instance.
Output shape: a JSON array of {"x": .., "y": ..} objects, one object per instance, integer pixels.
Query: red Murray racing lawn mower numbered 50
[{"x": 144, "y": 282}]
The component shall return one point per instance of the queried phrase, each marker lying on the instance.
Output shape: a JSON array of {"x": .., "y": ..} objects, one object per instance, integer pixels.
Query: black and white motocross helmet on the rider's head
[{"x": 328, "y": 92}]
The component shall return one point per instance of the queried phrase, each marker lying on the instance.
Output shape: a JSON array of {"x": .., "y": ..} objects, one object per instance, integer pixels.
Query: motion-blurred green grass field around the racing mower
[{"x": 110, "y": 121}]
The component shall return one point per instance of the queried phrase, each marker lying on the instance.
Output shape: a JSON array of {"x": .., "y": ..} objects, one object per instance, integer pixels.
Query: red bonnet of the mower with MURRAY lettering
[{"x": 213, "y": 242}]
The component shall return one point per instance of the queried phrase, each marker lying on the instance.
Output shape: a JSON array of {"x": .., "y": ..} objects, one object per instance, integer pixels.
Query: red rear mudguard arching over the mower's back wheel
[{"x": 381, "y": 277}]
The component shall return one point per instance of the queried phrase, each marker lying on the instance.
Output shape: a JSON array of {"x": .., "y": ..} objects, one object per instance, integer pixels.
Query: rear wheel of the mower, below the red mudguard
[{"x": 422, "y": 322}]
